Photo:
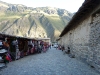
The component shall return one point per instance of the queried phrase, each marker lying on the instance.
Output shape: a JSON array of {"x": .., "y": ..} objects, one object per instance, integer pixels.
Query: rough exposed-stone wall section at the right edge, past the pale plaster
[{"x": 95, "y": 42}]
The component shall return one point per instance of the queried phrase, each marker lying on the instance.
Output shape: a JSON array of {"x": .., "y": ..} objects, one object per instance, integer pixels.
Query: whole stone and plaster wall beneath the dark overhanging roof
[{"x": 84, "y": 40}]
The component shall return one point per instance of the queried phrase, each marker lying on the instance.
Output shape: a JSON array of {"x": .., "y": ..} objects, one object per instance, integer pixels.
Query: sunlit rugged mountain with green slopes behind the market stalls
[{"x": 40, "y": 22}]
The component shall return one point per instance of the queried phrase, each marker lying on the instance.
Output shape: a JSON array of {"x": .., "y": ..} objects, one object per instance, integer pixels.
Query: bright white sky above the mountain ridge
[{"x": 69, "y": 5}]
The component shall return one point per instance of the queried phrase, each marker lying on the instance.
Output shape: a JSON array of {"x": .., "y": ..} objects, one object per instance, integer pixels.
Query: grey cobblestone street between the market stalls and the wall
[{"x": 53, "y": 62}]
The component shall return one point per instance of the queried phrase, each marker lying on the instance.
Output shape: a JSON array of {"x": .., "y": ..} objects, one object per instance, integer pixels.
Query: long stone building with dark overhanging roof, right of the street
[{"x": 82, "y": 34}]
